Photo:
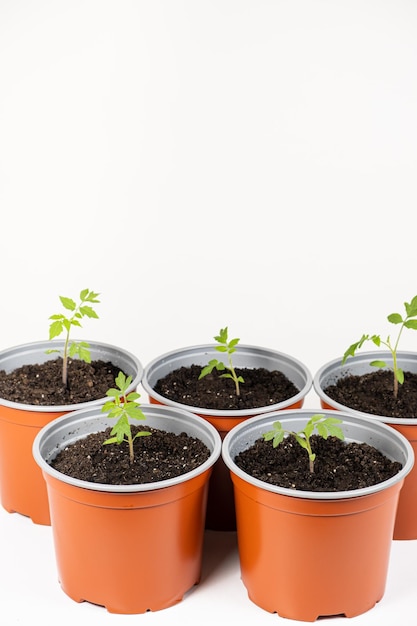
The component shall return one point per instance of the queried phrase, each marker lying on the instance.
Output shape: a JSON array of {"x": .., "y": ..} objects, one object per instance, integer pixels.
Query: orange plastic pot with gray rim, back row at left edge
[{"x": 22, "y": 486}]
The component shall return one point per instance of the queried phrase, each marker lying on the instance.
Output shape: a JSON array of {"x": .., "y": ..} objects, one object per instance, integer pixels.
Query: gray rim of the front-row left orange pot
[{"x": 63, "y": 430}]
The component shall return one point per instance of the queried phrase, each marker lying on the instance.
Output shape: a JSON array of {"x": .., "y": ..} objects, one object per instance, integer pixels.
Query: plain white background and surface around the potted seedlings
[{"x": 240, "y": 163}]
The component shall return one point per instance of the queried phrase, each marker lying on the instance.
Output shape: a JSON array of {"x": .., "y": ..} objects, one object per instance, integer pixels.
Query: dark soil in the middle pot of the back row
[{"x": 261, "y": 388}]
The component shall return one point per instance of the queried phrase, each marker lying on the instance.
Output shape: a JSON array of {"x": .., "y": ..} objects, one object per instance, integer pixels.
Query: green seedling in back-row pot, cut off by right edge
[{"x": 408, "y": 321}]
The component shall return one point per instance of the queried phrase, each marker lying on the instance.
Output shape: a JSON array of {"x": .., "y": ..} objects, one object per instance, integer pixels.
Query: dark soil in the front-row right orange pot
[{"x": 339, "y": 466}]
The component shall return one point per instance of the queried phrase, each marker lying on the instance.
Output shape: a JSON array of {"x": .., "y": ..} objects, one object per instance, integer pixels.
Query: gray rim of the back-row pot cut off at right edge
[{"x": 358, "y": 359}]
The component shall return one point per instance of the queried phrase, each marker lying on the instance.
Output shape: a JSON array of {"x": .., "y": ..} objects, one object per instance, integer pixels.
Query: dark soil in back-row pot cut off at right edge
[{"x": 374, "y": 393}]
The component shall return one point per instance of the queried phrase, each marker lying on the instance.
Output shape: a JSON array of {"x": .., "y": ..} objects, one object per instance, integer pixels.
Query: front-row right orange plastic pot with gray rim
[{"x": 305, "y": 554}]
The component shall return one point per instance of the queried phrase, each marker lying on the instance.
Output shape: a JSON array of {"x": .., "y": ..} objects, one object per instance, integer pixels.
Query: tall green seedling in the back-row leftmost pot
[{"x": 62, "y": 323}]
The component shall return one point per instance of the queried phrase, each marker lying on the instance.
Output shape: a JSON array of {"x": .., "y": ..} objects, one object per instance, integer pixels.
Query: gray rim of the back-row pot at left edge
[{"x": 42, "y": 346}]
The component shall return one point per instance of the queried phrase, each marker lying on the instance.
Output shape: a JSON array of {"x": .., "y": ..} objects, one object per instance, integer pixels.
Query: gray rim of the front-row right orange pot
[{"x": 249, "y": 430}]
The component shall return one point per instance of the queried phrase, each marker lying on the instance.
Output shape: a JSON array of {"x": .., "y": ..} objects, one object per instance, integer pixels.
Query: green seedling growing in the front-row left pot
[{"x": 123, "y": 406}]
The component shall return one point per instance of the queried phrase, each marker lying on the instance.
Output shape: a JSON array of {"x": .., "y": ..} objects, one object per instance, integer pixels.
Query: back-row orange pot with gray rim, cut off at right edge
[{"x": 358, "y": 365}]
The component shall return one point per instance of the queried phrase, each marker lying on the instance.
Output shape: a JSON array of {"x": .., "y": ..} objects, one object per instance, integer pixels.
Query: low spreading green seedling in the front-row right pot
[{"x": 325, "y": 427}]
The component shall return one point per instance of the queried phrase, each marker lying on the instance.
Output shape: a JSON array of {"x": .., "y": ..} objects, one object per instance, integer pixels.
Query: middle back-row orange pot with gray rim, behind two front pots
[{"x": 220, "y": 506}]
